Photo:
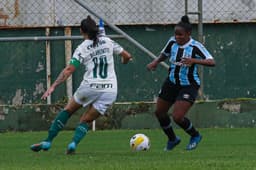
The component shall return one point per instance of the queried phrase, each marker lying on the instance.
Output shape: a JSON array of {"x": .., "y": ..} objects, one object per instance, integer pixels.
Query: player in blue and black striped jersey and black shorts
[{"x": 180, "y": 89}]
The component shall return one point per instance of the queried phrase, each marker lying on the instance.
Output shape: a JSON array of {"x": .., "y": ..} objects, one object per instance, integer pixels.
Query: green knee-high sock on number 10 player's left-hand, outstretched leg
[{"x": 57, "y": 125}]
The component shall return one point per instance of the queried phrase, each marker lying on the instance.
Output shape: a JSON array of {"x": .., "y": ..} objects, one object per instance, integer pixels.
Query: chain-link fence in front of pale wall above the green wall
[{"x": 41, "y": 13}]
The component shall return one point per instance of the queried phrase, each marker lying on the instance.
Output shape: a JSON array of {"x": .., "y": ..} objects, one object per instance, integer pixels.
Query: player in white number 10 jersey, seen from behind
[{"x": 98, "y": 89}]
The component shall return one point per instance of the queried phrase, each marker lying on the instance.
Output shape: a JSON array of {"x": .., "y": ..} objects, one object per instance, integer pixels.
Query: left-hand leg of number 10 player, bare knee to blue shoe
[{"x": 57, "y": 125}]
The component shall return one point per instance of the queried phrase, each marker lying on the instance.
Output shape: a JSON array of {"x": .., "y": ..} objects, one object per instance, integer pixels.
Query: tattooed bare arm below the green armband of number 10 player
[{"x": 63, "y": 76}]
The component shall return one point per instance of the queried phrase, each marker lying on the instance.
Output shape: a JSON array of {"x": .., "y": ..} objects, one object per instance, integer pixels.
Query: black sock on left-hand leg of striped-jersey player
[{"x": 165, "y": 123}]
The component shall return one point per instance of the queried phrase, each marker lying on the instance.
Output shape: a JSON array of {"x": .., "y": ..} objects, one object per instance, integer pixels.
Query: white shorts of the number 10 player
[{"x": 100, "y": 100}]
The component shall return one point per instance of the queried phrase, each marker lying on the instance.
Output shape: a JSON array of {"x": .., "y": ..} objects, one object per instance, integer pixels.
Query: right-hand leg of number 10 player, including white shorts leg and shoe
[{"x": 96, "y": 109}]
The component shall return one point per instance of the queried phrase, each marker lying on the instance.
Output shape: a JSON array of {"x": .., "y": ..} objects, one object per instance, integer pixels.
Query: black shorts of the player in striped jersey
[{"x": 172, "y": 92}]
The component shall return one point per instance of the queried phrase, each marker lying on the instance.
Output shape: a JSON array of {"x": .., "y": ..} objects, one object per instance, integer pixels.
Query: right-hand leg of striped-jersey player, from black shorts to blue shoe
[{"x": 181, "y": 107}]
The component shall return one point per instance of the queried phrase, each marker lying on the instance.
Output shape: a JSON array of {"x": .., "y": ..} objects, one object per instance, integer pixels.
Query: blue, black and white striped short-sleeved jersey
[{"x": 181, "y": 74}]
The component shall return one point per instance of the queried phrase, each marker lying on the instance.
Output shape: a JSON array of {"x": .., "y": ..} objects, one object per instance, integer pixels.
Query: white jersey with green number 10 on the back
[{"x": 99, "y": 63}]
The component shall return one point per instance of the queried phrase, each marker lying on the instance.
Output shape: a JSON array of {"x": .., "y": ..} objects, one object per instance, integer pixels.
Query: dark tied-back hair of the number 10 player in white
[{"x": 89, "y": 27}]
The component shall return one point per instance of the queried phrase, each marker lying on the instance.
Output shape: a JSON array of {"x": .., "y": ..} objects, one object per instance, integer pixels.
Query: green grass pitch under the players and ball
[{"x": 220, "y": 149}]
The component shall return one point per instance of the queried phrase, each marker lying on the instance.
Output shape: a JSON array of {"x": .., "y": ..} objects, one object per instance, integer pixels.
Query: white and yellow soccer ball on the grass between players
[{"x": 139, "y": 142}]
